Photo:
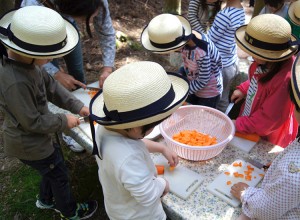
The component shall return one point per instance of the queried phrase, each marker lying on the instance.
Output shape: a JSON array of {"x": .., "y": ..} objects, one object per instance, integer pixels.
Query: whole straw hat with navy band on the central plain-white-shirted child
[{"x": 137, "y": 94}]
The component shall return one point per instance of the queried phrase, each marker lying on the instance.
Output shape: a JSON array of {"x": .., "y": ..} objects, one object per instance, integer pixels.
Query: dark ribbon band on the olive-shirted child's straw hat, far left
[{"x": 32, "y": 47}]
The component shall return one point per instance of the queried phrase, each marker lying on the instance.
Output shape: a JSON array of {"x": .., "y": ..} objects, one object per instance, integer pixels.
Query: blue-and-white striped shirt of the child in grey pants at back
[{"x": 223, "y": 30}]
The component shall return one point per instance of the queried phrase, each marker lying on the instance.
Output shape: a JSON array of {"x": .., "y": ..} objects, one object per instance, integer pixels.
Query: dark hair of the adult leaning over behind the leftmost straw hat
[{"x": 77, "y": 8}]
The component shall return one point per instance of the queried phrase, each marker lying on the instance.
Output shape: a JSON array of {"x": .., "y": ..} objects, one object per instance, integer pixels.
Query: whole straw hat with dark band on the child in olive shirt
[{"x": 38, "y": 32}]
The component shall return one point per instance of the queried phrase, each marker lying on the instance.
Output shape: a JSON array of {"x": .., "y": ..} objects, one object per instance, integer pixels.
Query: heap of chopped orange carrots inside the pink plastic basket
[{"x": 194, "y": 138}]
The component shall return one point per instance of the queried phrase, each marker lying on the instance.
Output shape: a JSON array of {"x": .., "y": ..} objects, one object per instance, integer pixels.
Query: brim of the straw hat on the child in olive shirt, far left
[{"x": 72, "y": 40}]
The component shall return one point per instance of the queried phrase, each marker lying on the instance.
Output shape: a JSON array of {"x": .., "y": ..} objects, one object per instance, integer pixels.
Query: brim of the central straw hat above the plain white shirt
[{"x": 180, "y": 86}]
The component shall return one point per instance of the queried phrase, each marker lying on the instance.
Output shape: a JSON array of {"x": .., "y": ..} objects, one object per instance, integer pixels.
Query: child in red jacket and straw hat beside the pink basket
[{"x": 266, "y": 111}]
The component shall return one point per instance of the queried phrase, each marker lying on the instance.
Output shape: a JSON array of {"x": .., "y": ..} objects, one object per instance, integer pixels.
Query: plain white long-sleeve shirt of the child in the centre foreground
[{"x": 128, "y": 177}]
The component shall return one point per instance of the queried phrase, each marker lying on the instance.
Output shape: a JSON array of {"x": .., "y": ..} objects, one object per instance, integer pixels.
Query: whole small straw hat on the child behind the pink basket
[{"x": 166, "y": 33}]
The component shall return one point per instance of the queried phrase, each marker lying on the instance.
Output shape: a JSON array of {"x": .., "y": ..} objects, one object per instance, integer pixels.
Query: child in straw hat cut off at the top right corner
[{"x": 293, "y": 17}]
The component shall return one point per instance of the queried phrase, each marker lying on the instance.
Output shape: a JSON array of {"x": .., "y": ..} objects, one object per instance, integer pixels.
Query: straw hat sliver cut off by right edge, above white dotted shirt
[{"x": 295, "y": 80}]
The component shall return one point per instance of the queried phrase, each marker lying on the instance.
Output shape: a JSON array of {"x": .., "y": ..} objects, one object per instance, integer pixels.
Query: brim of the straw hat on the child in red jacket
[{"x": 266, "y": 55}]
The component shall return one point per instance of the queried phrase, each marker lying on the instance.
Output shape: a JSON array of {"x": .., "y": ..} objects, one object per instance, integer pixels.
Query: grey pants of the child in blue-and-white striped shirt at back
[{"x": 228, "y": 73}]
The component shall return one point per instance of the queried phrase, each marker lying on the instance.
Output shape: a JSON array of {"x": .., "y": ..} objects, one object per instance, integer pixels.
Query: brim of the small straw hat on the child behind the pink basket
[{"x": 148, "y": 46}]
